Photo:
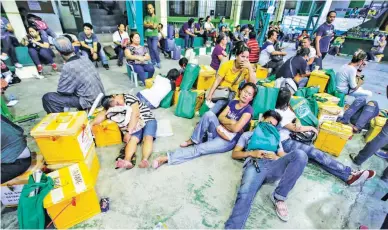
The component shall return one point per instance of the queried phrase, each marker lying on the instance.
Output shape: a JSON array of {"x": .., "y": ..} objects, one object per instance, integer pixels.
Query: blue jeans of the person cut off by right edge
[{"x": 372, "y": 147}]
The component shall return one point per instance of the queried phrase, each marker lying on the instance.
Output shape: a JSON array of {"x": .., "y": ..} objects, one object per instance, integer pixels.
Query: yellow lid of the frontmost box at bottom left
[{"x": 68, "y": 182}]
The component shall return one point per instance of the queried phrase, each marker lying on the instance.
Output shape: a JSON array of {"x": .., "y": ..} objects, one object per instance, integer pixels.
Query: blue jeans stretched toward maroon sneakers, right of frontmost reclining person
[{"x": 321, "y": 158}]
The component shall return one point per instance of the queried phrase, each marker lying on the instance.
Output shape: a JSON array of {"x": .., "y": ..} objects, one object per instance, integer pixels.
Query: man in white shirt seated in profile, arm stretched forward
[{"x": 267, "y": 50}]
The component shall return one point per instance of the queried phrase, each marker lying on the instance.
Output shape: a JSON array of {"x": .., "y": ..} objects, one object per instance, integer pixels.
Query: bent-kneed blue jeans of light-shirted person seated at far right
[{"x": 360, "y": 113}]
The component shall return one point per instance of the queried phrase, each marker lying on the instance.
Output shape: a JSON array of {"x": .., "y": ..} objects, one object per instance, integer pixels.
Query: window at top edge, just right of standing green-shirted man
[{"x": 188, "y": 8}]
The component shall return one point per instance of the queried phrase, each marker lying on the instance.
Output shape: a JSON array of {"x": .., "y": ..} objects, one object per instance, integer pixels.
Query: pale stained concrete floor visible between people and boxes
[{"x": 201, "y": 193}]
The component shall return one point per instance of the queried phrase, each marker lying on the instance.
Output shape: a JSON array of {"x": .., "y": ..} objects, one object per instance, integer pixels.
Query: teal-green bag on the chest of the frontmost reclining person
[{"x": 265, "y": 137}]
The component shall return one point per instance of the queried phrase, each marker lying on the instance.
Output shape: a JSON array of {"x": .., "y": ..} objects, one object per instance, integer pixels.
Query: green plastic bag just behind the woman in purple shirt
[{"x": 264, "y": 100}]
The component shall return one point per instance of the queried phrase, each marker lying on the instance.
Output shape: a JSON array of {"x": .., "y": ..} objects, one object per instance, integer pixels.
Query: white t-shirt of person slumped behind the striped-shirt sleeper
[{"x": 158, "y": 91}]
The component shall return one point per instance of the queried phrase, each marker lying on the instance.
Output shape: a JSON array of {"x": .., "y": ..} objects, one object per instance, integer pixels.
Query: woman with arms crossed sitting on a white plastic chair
[{"x": 138, "y": 56}]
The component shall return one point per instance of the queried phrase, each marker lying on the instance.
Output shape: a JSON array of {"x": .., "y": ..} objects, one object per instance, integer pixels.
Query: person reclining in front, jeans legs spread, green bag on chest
[{"x": 265, "y": 161}]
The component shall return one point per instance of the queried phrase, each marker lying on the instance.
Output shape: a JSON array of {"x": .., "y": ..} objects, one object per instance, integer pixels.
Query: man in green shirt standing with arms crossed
[{"x": 151, "y": 23}]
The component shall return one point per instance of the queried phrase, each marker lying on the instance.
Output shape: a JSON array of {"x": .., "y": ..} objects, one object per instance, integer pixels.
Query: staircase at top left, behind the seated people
[{"x": 102, "y": 22}]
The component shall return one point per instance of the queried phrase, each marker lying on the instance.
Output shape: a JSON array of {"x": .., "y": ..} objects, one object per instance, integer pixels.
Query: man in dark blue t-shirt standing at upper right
[{"x": 325, "y": 33}]
